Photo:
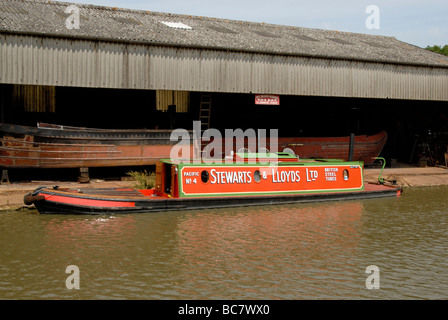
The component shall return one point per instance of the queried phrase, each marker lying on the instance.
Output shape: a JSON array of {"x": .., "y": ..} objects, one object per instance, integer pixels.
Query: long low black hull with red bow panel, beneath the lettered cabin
[{"x": 50, "y": 201}]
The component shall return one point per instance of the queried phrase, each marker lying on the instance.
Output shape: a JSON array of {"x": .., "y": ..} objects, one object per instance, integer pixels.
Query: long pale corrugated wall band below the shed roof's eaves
[{"x": 81, "y": 63}]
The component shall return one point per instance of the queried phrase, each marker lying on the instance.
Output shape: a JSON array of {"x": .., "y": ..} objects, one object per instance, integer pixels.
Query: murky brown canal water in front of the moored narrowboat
[{"x": 303, "y": 251}]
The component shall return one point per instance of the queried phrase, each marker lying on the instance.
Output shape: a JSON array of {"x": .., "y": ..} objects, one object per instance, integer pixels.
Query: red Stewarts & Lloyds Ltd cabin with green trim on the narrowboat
[{"x": 257, "y": 174}]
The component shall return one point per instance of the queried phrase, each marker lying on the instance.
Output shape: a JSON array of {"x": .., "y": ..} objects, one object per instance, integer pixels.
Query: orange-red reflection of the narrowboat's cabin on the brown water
[{"x": 228, "y": 234}]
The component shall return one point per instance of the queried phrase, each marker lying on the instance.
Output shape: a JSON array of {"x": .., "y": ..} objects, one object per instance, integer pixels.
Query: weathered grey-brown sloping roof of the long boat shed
[{"x": 114, "y": 24}]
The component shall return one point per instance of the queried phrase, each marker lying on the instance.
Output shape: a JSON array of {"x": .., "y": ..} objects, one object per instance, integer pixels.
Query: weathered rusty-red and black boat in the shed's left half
[{"x": 54, "y": 146}]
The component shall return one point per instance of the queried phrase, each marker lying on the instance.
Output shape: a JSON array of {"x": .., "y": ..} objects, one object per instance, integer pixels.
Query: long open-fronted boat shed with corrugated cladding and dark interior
[{"x": 109, "y": 67}]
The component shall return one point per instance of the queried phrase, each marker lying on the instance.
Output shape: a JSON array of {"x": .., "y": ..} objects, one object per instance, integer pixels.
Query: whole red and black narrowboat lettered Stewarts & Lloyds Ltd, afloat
[{"x": 249, "y": 179}]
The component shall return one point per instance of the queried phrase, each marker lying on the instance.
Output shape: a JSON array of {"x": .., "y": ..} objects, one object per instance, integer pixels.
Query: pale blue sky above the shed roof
[{"x": 419, "y": 22}]
